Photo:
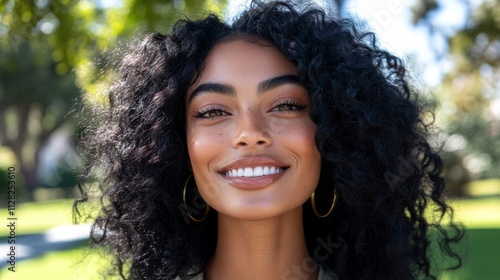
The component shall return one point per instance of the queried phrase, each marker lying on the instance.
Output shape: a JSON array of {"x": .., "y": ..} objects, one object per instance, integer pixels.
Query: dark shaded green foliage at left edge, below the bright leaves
[{"x": 29, "y": 77}]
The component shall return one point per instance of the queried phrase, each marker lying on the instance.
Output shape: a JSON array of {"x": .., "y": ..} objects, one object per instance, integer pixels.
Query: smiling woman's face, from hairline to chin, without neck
[{"x": 249, "y": 136}]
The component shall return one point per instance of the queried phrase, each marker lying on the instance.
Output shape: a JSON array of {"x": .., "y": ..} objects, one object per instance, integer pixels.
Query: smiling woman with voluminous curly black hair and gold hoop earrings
[{"x": 284, "y": 146}]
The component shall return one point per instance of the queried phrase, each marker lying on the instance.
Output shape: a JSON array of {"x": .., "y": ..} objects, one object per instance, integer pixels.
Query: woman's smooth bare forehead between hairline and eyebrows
[{"x": 239, "y": 59}]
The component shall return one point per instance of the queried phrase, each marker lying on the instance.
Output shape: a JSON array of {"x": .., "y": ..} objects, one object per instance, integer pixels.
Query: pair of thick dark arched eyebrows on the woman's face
[{"x": 229, "y": 90}]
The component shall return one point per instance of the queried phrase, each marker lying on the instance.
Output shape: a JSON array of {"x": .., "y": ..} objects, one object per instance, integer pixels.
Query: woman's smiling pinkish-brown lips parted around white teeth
[{"x": 253, "y": 183}]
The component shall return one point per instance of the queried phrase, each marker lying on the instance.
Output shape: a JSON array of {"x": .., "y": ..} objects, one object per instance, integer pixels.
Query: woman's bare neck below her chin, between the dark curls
[{"x": 265, "y": 249}]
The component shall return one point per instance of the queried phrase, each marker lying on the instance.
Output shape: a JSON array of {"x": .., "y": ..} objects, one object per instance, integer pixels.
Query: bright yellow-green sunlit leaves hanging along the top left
[{"x": 78, "y": 31}]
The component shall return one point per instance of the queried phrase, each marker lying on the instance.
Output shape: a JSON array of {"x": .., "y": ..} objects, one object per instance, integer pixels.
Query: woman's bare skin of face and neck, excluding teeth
[{"x": 237, "y": 123}]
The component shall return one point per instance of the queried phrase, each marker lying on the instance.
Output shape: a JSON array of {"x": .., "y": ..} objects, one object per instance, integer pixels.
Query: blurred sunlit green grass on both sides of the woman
[{"x": 480, "y": 247}]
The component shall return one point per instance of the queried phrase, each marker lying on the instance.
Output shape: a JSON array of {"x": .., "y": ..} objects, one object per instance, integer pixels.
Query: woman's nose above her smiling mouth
[{"x": 252, "y": 130}]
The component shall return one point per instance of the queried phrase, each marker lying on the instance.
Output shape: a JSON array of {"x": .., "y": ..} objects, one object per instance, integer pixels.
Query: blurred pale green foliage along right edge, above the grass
[{"x": 471, "y": 86}]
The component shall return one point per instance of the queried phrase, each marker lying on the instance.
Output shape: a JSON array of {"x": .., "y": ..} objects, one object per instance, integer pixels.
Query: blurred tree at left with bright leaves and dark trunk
[{"x": 53, "y": 49}]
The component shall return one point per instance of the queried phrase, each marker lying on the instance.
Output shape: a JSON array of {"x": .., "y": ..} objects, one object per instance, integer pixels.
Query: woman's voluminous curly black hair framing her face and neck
[{"x": 372, "y": 131}]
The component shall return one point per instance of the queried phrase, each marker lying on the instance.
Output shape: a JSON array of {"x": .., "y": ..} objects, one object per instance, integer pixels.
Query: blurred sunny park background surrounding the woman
[{"x": 54, "y": 50}]
